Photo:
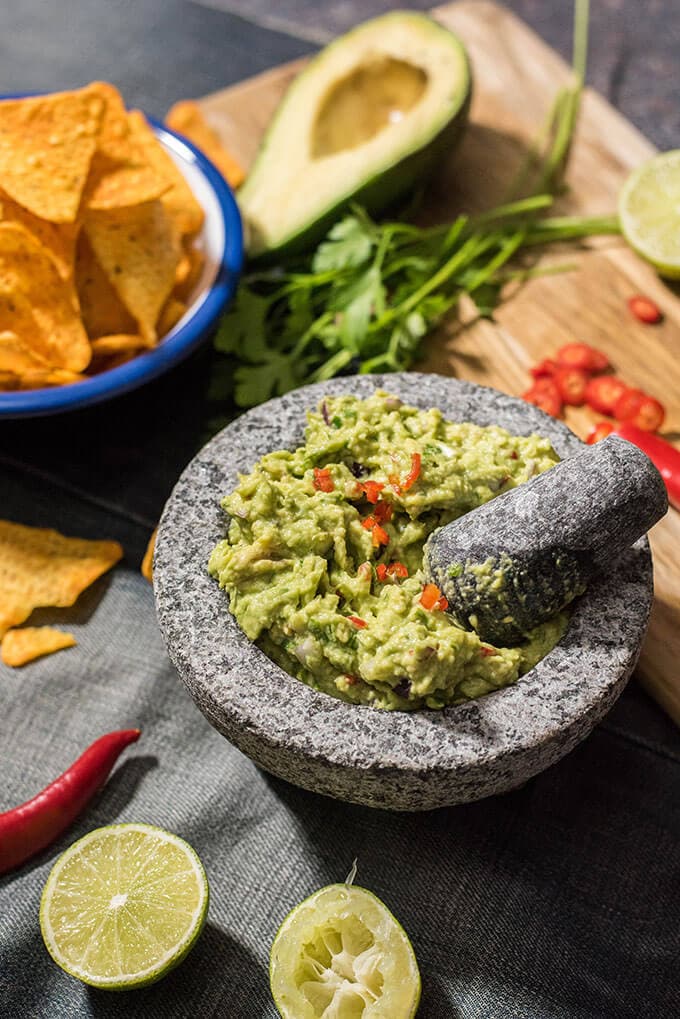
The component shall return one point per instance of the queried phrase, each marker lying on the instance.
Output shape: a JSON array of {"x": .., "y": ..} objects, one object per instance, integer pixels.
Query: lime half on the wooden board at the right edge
[{"x": 650, "y": 212}]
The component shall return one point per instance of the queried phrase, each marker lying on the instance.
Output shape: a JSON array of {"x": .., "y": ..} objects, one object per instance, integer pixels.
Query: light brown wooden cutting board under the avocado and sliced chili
[{"x": 516, "y": 75}]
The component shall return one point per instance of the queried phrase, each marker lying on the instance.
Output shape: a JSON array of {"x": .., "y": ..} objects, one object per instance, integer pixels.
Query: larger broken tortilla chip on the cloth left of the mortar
[{"x": 41, "y": 567}]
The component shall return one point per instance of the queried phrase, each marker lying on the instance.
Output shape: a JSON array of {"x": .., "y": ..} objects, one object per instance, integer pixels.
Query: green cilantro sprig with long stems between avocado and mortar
[{"x": 369, "y": 296}]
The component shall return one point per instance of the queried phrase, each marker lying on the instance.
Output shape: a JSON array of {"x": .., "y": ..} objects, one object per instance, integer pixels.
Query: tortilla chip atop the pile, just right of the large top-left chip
[{"x": 121, "y": 175}]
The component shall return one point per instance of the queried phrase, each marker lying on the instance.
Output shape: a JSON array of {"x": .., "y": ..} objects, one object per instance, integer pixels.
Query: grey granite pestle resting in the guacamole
[{"x": 515, "y": 562}]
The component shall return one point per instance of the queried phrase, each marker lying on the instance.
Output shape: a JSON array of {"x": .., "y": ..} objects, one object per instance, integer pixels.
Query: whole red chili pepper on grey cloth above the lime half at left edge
[{"x": 32, "y": 827}]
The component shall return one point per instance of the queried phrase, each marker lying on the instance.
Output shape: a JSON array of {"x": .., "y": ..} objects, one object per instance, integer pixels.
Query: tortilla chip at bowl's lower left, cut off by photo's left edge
[{"x": 32, "y": 290}]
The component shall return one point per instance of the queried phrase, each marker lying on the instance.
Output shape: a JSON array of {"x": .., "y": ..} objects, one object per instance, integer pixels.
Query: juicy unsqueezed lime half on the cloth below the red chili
[{"x": 124, "y": 905}]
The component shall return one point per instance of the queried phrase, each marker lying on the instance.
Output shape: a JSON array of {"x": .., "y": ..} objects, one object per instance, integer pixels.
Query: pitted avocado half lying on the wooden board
[{"x": 365, "y": 122}]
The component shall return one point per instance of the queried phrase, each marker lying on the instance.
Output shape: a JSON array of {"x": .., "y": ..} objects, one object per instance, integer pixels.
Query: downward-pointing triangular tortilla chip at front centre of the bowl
[{"x": 139, "y": 251}]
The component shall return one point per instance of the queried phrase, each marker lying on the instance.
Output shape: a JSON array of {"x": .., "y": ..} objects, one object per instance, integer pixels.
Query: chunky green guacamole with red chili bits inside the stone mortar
[{"x": 310, "y": 581}]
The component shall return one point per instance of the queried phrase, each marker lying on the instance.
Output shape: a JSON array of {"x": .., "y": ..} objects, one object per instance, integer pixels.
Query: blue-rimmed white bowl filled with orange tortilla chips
[{"x": 121, "y": 245}]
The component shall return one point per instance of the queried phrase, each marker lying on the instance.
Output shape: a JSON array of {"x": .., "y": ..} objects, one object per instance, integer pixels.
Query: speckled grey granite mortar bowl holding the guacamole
[{"x": 403, "y": 762}]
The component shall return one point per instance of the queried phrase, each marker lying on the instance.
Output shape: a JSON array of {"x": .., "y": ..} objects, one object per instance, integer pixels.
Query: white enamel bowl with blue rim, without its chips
[{"x": 221, "y": 241}]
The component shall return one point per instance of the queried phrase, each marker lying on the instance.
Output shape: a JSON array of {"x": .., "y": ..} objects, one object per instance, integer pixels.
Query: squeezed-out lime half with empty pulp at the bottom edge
[{"x": 342, "y": 954}]
